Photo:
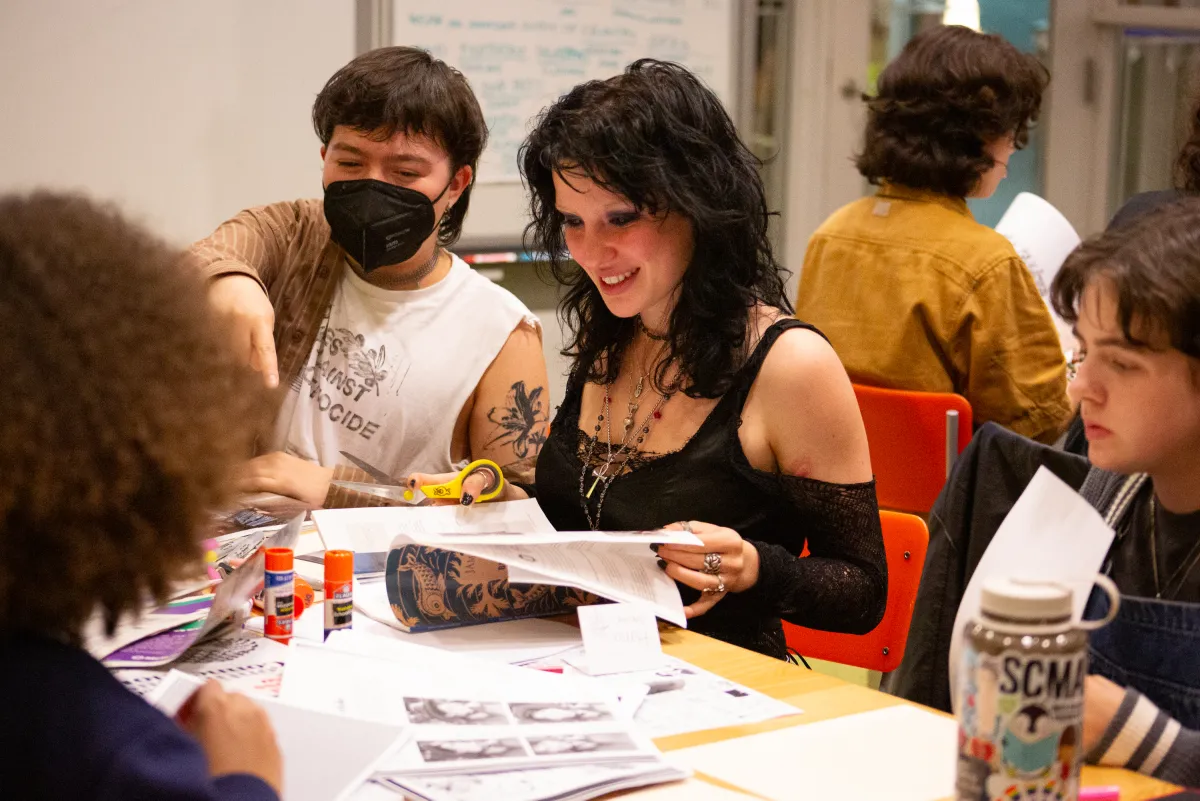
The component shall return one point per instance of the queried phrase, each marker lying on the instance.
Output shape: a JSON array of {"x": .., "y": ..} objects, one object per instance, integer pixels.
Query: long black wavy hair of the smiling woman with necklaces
[{"x": 658, "y": 137}]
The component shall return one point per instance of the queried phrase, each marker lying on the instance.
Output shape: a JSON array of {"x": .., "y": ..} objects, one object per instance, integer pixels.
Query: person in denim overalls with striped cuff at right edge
[{"x": 1133, "y": 296}]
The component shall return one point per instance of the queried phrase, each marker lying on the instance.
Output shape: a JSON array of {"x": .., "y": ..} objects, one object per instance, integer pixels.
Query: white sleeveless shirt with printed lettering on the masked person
[{"x": 392, "y": 371}]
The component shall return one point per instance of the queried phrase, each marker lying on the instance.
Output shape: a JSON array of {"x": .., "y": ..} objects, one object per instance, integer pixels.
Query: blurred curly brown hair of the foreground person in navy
[{"x": 122, "y": 415}]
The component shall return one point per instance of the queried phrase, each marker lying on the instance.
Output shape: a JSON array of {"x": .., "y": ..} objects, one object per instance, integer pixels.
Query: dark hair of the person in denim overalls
[{"x": 1154, "y": 266}]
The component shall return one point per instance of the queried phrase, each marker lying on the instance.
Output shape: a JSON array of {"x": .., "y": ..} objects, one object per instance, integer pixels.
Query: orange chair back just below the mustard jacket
[{"x": 914, "y": 438}]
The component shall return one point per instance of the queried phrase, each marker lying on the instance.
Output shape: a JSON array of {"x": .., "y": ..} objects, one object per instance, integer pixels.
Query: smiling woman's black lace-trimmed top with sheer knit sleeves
[{"x": 842, "y": 585}]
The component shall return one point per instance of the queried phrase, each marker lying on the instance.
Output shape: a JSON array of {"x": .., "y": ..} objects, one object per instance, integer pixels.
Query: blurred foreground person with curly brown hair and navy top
[{"x": 123, "y": 415}]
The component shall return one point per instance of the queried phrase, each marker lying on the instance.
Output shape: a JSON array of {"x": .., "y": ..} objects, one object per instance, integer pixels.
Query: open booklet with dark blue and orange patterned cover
[{"x": 454, "y": 567}]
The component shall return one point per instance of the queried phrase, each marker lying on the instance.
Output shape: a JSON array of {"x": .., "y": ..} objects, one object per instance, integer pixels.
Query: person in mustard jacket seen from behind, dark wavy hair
[{"x": 911, "y": 291}]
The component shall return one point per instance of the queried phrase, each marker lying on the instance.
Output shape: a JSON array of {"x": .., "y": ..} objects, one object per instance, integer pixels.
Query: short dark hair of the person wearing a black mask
[{"x": 406, "y": 89}]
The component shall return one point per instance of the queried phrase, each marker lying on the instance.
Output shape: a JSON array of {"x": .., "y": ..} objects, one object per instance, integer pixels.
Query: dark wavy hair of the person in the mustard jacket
[{"x": 950, "y": 93}]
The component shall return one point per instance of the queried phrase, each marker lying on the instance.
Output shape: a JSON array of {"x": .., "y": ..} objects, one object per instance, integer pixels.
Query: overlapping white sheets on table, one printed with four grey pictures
[{"x": 465, "y": 719}]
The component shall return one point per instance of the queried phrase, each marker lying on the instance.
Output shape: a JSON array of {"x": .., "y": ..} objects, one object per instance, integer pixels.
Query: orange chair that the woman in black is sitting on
[{"x": 905, "y": 540}]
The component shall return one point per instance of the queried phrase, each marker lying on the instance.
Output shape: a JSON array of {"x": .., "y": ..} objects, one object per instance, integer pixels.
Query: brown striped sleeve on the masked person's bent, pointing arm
[{"x": 254, "y": 244}]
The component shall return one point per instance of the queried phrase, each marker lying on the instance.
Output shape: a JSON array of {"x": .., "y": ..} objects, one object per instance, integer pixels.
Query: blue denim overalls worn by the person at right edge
[{"x": 1153, "y": 646}]
